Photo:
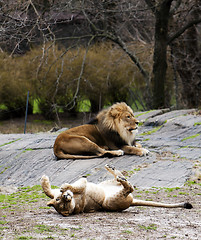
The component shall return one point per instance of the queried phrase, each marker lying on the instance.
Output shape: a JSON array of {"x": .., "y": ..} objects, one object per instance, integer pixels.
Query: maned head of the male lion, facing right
[{"x": 120, "y": 118}]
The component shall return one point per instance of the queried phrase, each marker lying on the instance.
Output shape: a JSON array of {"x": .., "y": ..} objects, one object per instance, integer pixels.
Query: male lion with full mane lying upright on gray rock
[{"x": 111, "y": 133}]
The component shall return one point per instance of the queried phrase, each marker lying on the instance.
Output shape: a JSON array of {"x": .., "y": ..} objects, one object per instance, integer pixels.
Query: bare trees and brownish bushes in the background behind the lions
[{"x": 83, "y": 55}]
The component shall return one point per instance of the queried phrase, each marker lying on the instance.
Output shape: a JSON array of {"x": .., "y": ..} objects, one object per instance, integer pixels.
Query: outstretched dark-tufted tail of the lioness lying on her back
[{"x": 159, "y": 204}]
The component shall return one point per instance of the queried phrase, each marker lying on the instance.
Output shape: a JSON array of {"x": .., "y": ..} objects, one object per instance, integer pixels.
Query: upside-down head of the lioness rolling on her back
[{"x": 63, "y": 203}]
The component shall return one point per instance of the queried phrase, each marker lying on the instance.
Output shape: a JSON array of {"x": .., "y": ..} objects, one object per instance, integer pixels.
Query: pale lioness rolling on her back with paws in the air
[{"x": 111, "y": 195}]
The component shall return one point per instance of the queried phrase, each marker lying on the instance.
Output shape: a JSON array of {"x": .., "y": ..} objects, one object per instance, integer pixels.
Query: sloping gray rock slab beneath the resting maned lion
[{"x": 173, "y": 138}]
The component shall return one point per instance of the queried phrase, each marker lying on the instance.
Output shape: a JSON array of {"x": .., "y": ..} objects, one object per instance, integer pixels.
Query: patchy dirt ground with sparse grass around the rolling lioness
[{"x": 24, "y": 215}]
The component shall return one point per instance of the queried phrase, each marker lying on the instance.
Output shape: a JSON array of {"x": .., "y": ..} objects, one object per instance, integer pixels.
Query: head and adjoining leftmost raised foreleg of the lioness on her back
[{"x": 63, "y": 202}]
